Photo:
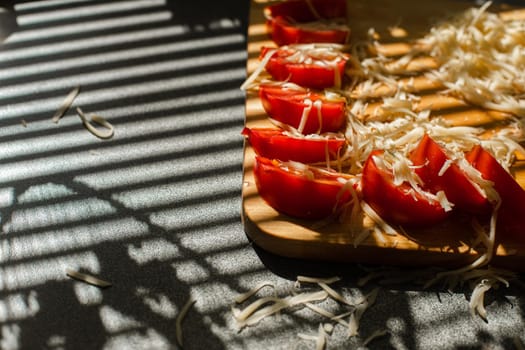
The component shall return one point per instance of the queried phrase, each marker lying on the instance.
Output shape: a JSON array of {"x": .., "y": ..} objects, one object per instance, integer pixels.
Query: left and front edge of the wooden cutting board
[{"x": 275, "y": 238}]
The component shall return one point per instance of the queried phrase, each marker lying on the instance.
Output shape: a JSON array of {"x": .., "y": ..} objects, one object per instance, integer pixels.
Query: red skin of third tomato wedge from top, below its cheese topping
[{"x": 312, "y": 75}]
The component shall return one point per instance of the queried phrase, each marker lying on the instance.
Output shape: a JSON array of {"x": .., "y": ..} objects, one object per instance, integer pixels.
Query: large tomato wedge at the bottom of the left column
[{"x": 306, "y": 193}]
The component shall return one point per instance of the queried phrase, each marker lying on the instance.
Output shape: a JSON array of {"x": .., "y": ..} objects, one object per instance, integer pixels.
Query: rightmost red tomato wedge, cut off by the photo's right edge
[{"x": 511, "y": 213}]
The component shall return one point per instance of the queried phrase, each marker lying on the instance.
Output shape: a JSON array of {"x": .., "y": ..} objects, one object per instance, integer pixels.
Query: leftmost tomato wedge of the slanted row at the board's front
[{"x": 399, "y": 205}]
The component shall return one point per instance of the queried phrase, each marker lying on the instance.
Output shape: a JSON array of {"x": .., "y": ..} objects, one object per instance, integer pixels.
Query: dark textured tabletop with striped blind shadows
[{"x": 155, "y": 210}]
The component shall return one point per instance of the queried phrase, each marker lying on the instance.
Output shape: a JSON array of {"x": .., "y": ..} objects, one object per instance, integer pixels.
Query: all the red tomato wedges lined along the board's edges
[{"x": 283, "y": 170}]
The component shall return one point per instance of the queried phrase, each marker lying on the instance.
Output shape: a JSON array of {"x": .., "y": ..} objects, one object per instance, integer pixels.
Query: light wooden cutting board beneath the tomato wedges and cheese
[{"x": 445, "y": 245}]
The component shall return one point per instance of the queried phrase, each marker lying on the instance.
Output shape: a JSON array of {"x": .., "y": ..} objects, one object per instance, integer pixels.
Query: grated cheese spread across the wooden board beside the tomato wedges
[{"x": 478, "y": 57}]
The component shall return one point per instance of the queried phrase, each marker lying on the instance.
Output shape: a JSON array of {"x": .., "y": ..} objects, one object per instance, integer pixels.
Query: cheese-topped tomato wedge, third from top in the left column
[{"x": 308, "y": 65}]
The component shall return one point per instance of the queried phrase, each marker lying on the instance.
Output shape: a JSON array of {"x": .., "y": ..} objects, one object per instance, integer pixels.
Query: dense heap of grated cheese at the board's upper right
[{"x": 481, "y": 58}]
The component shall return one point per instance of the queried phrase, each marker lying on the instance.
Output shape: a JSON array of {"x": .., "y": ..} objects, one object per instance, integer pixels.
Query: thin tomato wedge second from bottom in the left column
[{"x": 274, "y": 144}]
